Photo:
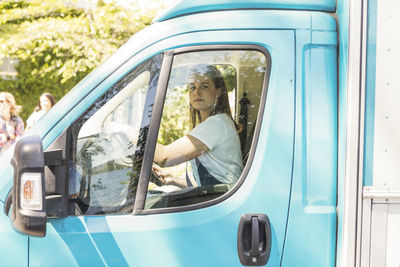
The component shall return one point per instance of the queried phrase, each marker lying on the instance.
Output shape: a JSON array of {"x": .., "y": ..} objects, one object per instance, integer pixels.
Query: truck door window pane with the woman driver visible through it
[{"x": 207, "y": 125}]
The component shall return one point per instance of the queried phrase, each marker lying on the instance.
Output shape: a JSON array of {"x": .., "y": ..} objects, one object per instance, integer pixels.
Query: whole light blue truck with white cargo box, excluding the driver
[{"x": 311, "y": 87}]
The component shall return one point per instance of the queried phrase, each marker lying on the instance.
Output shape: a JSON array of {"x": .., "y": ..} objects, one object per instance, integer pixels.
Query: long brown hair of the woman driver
[{"x": 222, "y": 105}]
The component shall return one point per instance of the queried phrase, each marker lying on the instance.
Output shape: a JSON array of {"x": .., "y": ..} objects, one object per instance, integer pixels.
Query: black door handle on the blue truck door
[{"x": 254, "y": 239}]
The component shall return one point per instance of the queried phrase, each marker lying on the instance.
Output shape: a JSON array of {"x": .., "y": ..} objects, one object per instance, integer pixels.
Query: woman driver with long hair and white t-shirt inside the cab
[{"x": 212, "y": 145}]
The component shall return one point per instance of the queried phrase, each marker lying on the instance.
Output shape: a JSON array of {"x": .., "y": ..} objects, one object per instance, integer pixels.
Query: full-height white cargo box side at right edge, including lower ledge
[{"x": 380, "y": 238}]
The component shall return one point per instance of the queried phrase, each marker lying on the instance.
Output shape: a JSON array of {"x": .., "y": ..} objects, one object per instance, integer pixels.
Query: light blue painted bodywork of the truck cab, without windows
[{"x": 295, "y": 173}]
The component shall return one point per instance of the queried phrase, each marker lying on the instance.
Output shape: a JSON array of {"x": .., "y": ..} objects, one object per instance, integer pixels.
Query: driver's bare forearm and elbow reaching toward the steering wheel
[{"x": 181, "y": 150}]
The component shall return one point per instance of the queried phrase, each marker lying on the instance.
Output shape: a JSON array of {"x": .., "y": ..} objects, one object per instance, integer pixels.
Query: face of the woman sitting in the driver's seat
[{"x": 202, "y": 93}]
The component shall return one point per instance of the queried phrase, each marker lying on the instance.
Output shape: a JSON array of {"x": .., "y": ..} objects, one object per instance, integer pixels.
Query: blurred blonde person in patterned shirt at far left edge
[{"x": 11, "y": 125}]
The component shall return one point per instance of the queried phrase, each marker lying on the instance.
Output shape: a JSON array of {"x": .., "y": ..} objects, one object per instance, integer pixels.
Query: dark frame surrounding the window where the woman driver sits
[{"x": 156, "y": 116}]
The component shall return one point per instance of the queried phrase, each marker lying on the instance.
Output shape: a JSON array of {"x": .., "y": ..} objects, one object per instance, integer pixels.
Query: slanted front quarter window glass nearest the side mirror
[{"x": 108, "y": 144}]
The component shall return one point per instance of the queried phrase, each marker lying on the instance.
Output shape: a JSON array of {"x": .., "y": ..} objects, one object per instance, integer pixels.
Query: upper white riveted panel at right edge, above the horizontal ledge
[{"x": 386, "y": 169}]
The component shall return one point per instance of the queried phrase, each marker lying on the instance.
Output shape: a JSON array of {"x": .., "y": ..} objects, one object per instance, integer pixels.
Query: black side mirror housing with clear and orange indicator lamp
[{"x": 28, "y": 198}]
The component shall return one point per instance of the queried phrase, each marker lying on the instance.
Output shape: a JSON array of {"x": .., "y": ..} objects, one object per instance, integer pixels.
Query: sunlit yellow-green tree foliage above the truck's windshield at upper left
[{"x": 57, "y": 43}]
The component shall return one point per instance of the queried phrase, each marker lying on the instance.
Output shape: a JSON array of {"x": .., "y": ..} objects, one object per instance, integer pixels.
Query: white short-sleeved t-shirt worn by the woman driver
[{"x": 224, "y": 160}]
